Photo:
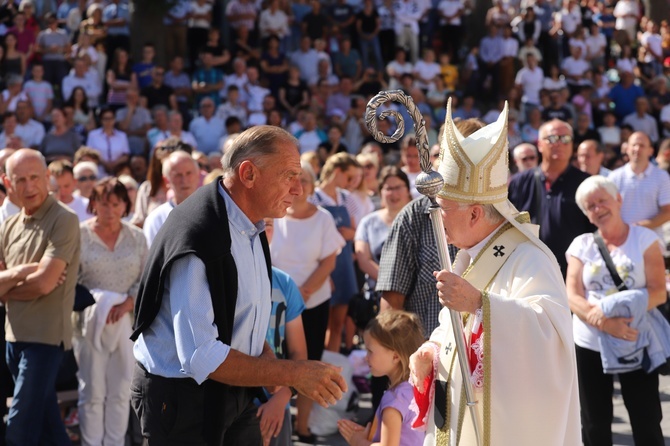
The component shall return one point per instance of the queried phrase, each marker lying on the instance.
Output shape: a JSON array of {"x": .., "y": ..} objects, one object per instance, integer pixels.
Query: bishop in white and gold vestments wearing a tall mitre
[{"x": 517, "y": 325}]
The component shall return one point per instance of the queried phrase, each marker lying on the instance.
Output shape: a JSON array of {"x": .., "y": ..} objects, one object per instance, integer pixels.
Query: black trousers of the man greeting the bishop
[{"x": 174, "y": 412}]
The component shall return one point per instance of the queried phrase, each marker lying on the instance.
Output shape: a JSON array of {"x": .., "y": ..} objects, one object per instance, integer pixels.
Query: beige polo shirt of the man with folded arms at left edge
[{"x": 52, "y": 231}]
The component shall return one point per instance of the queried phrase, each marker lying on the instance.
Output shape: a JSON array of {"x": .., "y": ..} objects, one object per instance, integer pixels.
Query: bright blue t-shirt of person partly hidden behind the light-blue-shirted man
[{"x": 287, "y": 304}]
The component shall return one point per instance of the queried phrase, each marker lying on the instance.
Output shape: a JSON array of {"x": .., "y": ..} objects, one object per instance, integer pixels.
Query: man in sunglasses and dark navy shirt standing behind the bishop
[{"x": 548, "y": 192}]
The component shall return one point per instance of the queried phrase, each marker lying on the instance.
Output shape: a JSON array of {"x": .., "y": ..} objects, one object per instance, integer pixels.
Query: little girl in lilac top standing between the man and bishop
[{"x": 390, "y": 339}]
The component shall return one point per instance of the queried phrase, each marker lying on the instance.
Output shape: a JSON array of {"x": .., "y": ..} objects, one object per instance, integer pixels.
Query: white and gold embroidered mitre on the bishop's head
[{"x": 475, "y": 168}]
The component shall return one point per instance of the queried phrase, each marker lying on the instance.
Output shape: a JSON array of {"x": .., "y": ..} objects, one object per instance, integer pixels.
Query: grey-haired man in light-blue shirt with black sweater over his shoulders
[{"x": 204, "y": 305}]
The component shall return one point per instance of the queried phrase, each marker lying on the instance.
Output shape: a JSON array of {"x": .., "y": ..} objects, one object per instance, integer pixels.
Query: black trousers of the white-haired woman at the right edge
[{"x": 640, "y": 395}]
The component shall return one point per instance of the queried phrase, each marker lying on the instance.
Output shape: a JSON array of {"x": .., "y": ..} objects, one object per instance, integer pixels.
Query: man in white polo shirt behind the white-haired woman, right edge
[{"x": 645, "y": 188}]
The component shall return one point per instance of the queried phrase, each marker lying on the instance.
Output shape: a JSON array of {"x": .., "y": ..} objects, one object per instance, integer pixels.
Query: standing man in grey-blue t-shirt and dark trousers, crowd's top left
[{"x": 53, "y": 44}]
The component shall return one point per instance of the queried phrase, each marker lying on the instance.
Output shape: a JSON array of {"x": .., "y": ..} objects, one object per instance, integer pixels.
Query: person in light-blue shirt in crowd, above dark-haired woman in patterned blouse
[{"x": 110, "y": 142}]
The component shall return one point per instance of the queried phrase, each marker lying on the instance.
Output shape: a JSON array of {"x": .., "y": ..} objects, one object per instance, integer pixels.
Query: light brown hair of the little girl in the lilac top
[{"x": 400, "y": 332}]
